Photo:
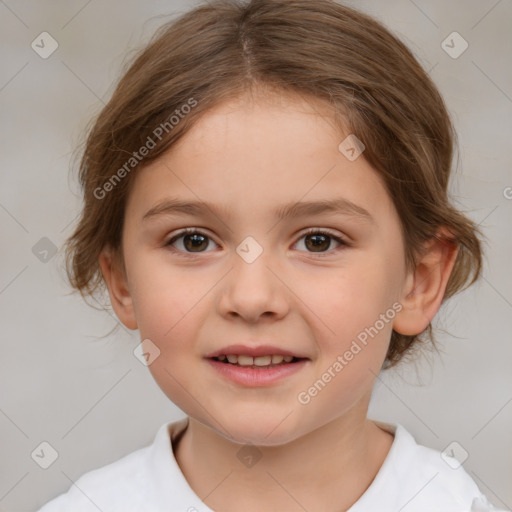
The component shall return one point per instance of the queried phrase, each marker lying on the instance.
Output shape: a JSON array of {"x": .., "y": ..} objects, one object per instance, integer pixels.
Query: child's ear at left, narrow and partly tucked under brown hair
[{"x": 117, "y": 284}]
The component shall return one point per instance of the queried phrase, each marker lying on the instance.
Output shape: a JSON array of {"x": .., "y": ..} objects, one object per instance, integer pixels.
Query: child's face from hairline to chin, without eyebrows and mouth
[{"x": 313, "y": 299}]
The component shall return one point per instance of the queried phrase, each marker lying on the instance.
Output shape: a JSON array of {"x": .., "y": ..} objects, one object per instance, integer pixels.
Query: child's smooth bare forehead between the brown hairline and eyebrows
[{"x": 250, "y": 156}]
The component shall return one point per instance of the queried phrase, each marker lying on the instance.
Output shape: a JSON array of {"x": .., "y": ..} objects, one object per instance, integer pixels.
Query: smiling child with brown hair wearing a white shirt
[{"x": 265, "y": 200}]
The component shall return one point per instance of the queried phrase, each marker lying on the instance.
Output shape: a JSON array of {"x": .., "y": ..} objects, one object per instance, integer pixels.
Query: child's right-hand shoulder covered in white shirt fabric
[{"x": 421, "y": 479}]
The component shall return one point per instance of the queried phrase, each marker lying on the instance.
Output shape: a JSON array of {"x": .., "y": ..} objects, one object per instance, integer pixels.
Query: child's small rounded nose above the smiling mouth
[{"x": 253, "y": 290}]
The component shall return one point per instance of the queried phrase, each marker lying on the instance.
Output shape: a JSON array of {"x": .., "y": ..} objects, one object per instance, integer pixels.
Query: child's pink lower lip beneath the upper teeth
[{"x": 248, "y": 376}]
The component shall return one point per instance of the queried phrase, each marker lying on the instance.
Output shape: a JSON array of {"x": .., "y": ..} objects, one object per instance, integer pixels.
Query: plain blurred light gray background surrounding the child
[{"x": 90, "y": 398}]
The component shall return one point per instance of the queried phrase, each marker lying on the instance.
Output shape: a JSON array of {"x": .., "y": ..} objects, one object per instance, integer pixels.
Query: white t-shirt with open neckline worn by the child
[{"x": 413, "y": 478}]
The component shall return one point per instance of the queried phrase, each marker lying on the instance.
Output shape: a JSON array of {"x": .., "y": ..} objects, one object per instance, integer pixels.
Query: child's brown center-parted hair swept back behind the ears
[{"x": 324, "y": 50}]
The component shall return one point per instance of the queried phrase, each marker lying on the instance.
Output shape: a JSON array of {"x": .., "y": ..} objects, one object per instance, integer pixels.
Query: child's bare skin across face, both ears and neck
[{"x": 249, "y": 157}]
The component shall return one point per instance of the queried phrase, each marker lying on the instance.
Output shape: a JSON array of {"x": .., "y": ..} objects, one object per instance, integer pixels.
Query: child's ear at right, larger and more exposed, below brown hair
[{"x": 425, "y": 285}]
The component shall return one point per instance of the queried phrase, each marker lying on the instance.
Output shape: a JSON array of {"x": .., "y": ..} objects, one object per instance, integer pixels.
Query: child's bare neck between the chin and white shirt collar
[{"x": 327, "y": 469}]
